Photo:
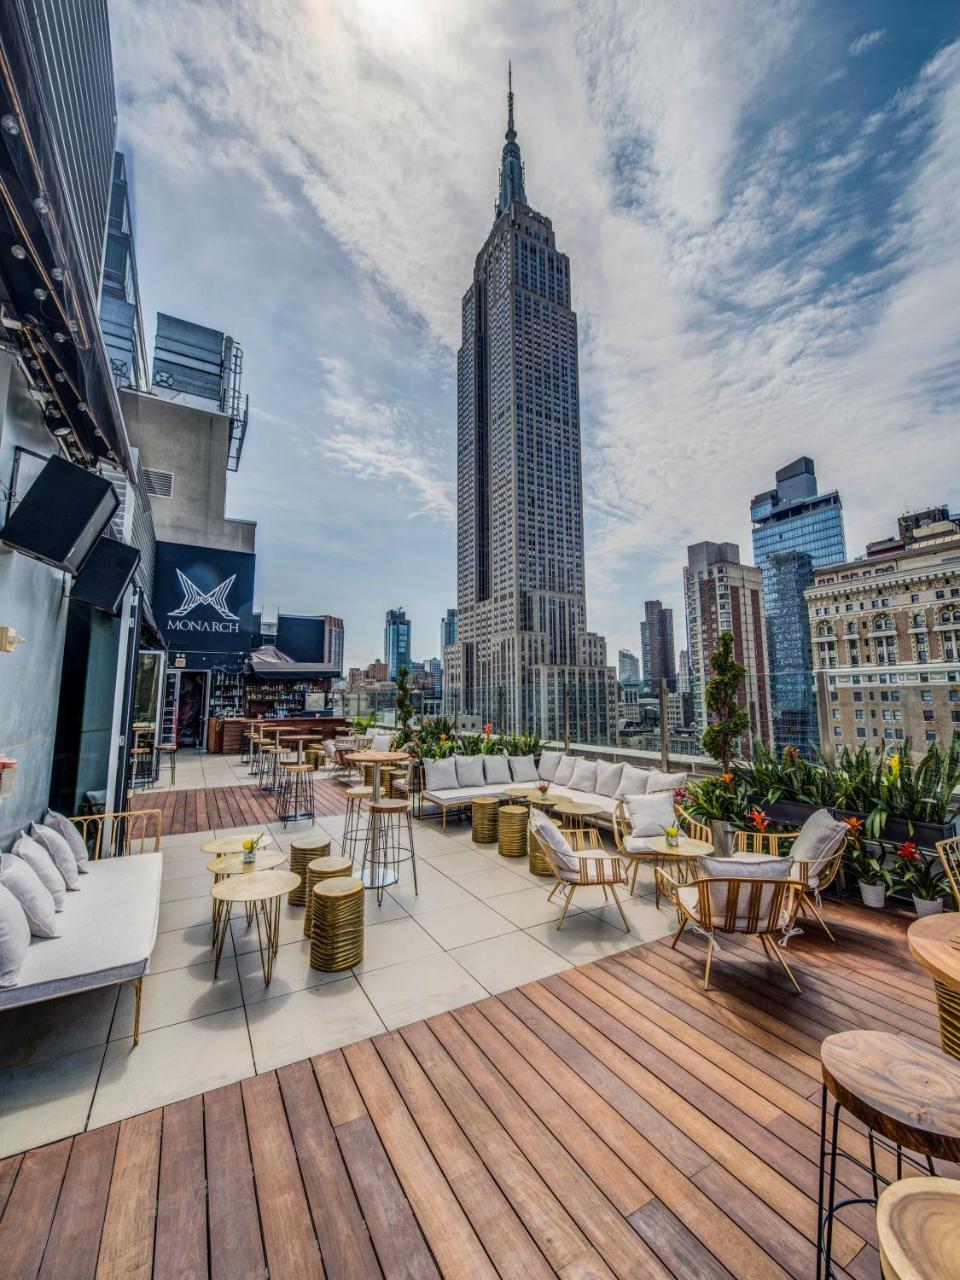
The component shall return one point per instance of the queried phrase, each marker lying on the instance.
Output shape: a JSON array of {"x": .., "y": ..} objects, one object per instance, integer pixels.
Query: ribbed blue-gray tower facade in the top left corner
[{"x": 72, "y": 45}]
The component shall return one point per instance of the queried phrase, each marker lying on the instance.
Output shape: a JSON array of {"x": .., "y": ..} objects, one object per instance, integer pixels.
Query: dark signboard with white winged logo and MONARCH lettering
[{"x": 204, "y": 598}]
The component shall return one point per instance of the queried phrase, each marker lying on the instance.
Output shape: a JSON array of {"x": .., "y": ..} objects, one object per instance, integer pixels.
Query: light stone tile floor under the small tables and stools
[{"x": 478, "y": 926}]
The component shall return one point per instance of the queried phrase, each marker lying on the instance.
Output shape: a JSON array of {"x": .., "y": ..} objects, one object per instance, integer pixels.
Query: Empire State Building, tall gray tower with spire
[{"x": 524, "y": 659}]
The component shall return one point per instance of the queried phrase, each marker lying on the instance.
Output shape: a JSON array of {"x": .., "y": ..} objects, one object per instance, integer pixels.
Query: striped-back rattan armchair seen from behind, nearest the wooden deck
[{"x": 757, "y": 908}]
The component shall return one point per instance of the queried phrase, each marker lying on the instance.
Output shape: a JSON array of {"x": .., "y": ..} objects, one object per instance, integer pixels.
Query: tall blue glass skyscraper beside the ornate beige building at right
[{"x": 796, "y": 531}]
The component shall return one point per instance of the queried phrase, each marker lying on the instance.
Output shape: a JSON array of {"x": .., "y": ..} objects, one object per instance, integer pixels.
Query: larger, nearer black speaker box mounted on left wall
[{"x": 62, "y": 515}]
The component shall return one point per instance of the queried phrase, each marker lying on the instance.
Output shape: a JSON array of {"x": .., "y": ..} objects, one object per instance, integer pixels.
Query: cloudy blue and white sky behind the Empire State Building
[{"x": 762, "y": 209}]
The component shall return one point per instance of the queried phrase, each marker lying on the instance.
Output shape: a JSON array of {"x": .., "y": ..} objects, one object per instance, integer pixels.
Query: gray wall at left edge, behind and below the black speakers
[{"x": 33, "y": 601}]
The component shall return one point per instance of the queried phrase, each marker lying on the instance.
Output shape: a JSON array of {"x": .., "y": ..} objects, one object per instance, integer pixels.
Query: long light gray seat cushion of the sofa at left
[{"x": 108, "y": 934}]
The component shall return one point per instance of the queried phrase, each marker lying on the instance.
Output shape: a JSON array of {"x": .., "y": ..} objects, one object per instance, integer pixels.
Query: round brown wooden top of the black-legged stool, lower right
[{"x": 904, "y": 1090}]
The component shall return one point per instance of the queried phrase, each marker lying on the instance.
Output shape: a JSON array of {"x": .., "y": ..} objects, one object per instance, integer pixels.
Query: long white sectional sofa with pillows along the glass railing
[{"x": 455, "y": 783}]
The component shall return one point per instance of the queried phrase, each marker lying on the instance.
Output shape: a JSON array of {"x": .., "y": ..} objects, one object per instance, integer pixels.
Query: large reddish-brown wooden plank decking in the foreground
[{"x": 612, "y": 1121}]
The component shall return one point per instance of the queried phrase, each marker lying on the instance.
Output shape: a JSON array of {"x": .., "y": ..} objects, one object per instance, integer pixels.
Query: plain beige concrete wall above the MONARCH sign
[{"x": 193, "y": 444}]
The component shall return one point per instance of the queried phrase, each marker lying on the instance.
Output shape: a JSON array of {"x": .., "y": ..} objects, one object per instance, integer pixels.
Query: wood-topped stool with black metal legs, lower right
[{"x": 908, "y": 1098}]
